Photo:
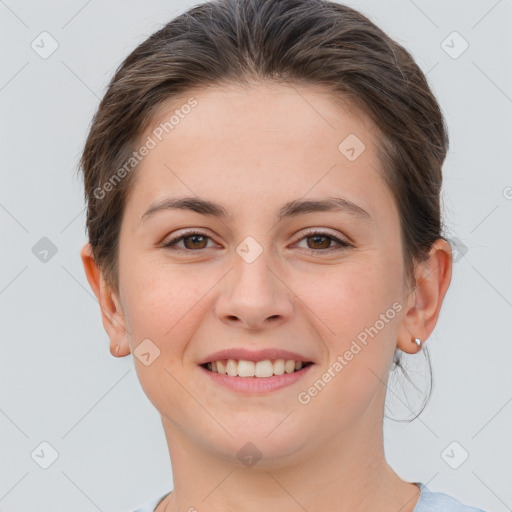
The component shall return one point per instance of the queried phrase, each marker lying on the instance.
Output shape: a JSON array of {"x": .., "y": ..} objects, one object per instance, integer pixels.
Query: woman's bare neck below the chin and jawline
[{"x": 346, "y": 472}]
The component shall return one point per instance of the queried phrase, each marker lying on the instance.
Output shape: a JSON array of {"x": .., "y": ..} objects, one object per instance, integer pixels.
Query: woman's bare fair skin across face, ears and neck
[{"x": 252, "y": 149}]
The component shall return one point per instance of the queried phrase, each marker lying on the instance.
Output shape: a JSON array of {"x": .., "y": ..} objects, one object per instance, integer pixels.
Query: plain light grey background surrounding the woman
[{"x": 59, "y": 382}]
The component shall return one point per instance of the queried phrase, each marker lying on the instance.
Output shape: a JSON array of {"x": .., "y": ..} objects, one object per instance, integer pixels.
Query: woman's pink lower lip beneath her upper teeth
[{"x": 252, "y": 385}]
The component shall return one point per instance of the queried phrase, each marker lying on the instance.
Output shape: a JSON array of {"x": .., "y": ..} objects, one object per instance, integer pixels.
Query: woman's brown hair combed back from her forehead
[{"x": 310, "y": 42}]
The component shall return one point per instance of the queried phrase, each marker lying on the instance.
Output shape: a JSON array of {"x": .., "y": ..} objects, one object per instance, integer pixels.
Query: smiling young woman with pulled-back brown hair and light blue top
[{"x": 263, "y": 185}]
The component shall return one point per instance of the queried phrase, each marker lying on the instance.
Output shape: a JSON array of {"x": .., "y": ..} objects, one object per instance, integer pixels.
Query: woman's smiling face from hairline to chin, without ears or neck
[{"x": 325, "y": 285}]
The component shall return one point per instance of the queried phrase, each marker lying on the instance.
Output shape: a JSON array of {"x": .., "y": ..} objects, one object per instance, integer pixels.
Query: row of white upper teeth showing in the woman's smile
[{"x": 243, "y": 368}]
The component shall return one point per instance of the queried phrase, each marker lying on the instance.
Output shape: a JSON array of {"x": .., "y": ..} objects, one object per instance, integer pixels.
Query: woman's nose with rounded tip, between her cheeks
[{"x": 254, "y": 296}]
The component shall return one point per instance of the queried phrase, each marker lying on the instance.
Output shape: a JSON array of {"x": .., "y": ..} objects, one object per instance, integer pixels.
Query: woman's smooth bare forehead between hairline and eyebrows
[{"x": 277, "y": 142}]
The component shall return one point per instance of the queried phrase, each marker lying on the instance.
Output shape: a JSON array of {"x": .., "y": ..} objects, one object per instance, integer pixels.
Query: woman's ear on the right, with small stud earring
[{"x": 424, "y": 302}]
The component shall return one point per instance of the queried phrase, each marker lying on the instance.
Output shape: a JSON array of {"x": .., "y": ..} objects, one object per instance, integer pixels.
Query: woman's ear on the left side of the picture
[{"x": 111, "y": 312}]
